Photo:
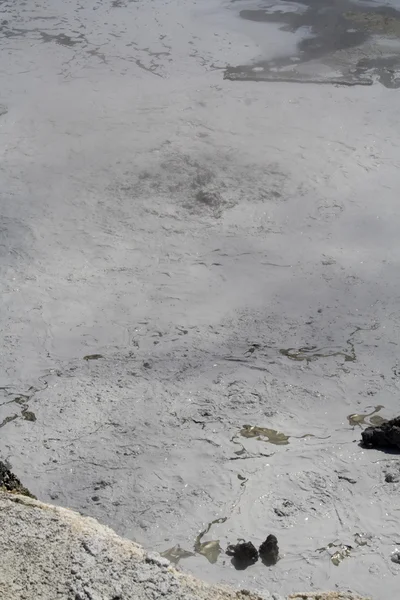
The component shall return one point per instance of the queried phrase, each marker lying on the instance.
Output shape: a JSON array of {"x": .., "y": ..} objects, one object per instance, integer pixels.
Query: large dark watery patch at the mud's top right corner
[{"x": 342, "y": 43}]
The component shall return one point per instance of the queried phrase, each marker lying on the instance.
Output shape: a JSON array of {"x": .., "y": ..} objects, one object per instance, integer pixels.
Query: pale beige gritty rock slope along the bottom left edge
[{"x": 48, "y": 553}]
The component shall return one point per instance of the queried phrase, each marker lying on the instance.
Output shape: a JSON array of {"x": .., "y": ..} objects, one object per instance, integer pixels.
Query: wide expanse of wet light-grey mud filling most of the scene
[{"x": 231, "y": 252}]
